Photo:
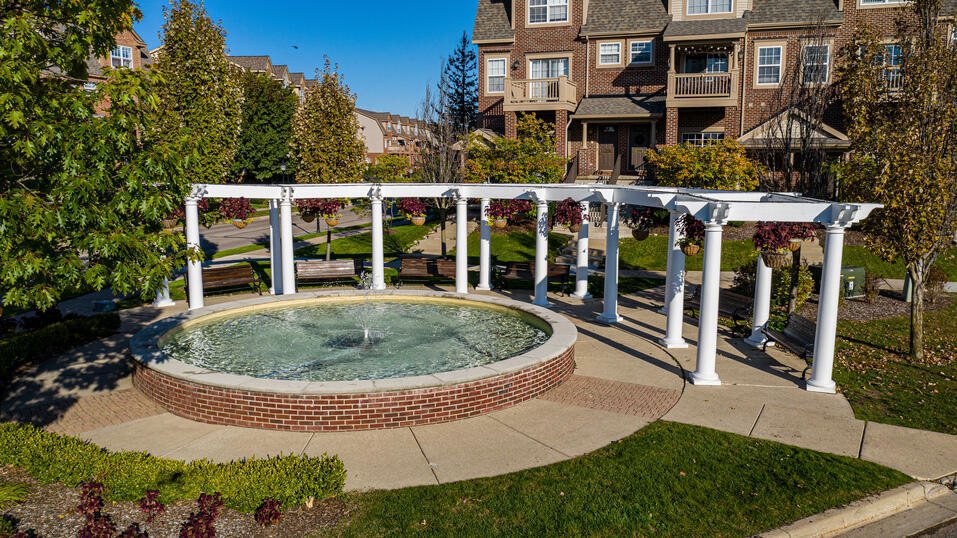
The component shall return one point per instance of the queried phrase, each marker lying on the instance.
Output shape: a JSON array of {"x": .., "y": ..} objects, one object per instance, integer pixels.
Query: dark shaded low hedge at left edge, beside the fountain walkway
[{"x": 19, "y": 349}]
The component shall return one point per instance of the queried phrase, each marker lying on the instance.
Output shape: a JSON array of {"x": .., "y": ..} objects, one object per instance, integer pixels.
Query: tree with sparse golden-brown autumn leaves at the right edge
[{"x": 905, "y": 145}]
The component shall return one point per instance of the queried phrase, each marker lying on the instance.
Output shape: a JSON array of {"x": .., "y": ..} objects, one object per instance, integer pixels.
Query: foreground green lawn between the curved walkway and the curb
[{"x": 668, "y": 479}]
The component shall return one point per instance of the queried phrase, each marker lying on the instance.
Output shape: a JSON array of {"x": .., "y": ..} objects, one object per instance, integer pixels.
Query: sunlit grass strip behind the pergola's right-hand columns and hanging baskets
[{"x": 652, "y": 254}]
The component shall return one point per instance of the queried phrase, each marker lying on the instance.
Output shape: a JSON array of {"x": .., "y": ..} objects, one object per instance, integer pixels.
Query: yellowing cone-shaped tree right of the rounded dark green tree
[{"x": 327, "y": 144}]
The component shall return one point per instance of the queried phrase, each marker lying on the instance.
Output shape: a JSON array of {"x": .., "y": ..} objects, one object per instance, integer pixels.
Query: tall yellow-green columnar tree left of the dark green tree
[{"x": 199, "y": 89}]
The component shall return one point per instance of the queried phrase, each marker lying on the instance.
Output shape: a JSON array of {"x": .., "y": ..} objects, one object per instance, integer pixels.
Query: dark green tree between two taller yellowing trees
[{"x": 265, "y": 139}]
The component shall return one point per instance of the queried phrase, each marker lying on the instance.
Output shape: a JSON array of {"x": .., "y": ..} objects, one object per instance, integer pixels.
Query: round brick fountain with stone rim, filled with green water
[{"x": 339, "y": 361}]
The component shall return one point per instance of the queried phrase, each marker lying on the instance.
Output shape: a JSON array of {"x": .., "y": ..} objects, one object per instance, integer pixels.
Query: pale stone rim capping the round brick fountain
[{"x": 145, "y": 346}]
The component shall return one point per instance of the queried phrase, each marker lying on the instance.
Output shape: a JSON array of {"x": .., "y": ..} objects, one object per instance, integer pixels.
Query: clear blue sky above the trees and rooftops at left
[{"x": 387, "y": 51}]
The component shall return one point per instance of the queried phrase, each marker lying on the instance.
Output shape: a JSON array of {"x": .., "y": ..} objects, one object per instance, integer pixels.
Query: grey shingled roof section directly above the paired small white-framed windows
[{"x": 625, "y": 16}]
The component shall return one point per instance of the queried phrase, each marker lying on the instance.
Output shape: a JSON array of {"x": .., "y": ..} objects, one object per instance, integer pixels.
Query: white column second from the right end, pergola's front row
[{"x": 704, "y": 373}]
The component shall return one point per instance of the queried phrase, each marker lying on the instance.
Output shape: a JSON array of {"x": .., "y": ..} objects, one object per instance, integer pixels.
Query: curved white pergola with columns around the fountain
[{"x": 714, "y": 208}]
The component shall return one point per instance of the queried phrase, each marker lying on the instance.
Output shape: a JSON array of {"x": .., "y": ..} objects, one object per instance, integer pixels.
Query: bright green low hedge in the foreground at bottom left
[{"x": 126, "y": 476}]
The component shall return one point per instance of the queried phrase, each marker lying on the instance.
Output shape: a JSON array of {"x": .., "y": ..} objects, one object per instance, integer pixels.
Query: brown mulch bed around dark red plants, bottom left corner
[{"x": 50, "y": 511}]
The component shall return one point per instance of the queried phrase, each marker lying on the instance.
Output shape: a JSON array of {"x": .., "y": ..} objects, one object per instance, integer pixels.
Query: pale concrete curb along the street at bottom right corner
[{"x": 863, "y": 511}]
